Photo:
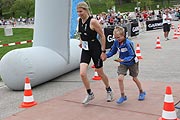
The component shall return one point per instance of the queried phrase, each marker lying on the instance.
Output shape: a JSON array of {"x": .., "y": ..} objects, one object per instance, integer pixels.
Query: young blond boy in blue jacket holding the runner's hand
[{"x": 128, "y": 61}]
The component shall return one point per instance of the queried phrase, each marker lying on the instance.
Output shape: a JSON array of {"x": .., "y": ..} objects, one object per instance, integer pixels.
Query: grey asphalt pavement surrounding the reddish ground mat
[{"x": 156, "y": 65}]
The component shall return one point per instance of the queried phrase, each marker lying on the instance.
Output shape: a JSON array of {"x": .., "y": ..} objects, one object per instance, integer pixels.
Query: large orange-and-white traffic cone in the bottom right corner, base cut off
[{"x": 168, "y": 112}]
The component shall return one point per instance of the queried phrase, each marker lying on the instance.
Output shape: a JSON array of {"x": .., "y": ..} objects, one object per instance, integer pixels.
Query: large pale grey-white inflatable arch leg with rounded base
[{"x": 52, "y": 53}]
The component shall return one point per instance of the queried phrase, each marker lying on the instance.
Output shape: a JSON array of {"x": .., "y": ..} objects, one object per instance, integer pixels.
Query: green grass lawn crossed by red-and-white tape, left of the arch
[{"x": 19, "y": 34}]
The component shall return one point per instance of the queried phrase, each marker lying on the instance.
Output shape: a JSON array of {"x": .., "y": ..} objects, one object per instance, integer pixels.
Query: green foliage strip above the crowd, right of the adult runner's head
[{"x": 129, "y": 5}]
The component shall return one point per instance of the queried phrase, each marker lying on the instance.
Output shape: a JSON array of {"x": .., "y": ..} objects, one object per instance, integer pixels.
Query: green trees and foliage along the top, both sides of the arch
[{"x": 25, "y": 8}]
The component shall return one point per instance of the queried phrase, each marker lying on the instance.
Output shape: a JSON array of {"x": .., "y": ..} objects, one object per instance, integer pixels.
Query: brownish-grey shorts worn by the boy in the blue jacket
[{"x": 133, "y": 69}]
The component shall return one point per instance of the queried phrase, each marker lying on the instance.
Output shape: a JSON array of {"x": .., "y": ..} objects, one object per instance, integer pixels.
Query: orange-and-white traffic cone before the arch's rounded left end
[{"x": 28, "y": 100}]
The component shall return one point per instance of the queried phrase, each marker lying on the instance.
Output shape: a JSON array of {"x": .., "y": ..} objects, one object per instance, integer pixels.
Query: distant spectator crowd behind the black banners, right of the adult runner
[{"x": 118, "y": 18}]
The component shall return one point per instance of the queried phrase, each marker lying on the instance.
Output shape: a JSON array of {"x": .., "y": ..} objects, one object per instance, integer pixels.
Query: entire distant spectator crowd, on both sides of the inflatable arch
[{"x": 110, "y": 18}]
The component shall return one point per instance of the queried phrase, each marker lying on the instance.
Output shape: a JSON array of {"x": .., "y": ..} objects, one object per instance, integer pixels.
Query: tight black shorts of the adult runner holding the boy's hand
[{"x": 94, "y": 52}]
